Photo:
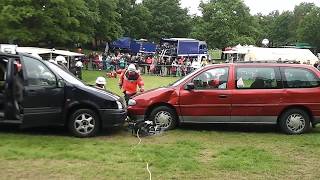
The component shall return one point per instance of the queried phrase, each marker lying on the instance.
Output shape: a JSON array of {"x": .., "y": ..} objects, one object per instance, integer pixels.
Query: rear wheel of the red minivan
[{"x": 294, "y": 121}]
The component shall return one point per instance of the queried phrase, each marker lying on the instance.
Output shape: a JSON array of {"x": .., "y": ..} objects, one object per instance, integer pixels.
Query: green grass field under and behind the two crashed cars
[{"x": 189, "y": 152}]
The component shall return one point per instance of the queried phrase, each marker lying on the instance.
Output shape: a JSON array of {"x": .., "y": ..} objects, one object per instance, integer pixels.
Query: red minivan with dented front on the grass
[{"x": 284, "y": 94}]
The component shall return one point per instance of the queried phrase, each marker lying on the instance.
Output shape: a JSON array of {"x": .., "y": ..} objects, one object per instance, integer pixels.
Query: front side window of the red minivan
[{"x": 216, "y": 78}]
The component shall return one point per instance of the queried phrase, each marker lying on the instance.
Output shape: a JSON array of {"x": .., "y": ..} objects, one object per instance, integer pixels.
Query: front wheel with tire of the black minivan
[{"x": 84, "y": 123}]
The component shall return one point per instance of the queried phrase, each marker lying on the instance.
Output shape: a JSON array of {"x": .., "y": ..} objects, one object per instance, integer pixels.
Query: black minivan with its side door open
[{"x": 52, "y": 96}]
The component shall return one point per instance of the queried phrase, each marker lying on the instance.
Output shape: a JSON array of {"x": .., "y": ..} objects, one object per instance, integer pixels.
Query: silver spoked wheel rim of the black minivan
[{"x": 84, "y": 124}]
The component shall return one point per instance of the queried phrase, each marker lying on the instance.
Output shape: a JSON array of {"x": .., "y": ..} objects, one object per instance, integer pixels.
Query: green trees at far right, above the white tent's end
[{"x": 288, "y": 28}]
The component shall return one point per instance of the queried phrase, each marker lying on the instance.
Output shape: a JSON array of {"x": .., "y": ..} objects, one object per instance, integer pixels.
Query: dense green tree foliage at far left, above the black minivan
[{"x": 58, "y": 22}]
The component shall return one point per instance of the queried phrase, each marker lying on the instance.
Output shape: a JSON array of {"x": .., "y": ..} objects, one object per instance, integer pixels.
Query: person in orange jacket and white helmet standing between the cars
[{"x": 129, "y": 80}]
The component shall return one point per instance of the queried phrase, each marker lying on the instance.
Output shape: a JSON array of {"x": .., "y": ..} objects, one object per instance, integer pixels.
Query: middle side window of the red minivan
[{"x": 256, "y": 78}]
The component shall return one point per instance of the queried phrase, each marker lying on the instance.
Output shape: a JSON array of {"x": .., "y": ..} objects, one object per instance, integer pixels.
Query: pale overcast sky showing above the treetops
[{"x": 263, "y": 6}]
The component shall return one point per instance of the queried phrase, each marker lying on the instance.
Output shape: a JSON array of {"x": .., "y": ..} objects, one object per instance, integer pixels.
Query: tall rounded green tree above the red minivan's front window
[{"x": 226, "y": 23}]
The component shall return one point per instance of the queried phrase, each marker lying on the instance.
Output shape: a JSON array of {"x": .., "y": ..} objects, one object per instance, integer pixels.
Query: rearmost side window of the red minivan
[{"x": 299, "y": 78}]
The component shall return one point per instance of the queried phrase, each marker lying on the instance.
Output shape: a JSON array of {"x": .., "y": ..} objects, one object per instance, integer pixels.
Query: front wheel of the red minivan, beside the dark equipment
[{"x": 165, "y": 117}]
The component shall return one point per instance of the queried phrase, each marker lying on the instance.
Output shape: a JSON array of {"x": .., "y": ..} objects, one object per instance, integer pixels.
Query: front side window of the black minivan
[{"x": 38, "y": 74}]
